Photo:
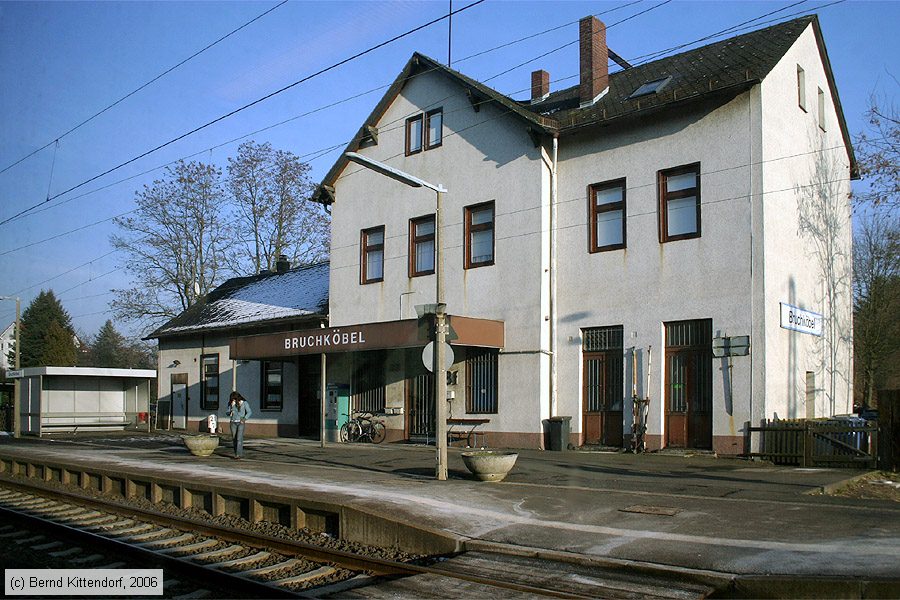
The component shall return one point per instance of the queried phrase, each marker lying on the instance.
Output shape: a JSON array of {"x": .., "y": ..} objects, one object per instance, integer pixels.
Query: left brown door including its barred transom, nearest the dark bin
[{"x": 602, "y": 381}]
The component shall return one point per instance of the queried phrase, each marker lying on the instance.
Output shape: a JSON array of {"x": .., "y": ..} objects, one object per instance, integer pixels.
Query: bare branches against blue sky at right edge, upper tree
[{"x": 879, "y": 154}]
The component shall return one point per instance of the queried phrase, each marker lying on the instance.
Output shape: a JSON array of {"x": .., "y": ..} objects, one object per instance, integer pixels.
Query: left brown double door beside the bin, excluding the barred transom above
[{"x": 602, "y": 398}]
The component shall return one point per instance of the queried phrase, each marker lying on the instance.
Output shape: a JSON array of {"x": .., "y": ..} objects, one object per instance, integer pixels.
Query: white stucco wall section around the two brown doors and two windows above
[{"x": 649, "y": 283}]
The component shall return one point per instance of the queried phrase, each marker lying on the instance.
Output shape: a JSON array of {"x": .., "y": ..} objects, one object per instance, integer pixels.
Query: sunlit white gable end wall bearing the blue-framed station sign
[{"x": 806, "y": 179}]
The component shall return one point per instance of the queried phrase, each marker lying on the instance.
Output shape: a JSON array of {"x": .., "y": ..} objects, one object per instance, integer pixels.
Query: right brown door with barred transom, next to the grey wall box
[{"x": 688, "y": 384}]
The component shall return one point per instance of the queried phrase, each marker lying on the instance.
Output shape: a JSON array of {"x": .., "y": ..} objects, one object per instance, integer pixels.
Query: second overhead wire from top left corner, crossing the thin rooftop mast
[{"x": 244, "y": 107}]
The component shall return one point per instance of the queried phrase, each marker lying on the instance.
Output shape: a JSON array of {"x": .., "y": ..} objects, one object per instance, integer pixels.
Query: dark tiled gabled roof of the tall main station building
[{"x": 718, "y": 71}]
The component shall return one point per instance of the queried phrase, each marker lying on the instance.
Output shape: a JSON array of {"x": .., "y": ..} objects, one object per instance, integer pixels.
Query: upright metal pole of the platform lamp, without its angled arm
[{"x": 440, "y": 336}]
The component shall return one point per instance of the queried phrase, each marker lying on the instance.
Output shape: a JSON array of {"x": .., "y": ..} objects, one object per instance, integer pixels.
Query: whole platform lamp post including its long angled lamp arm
[{"x": 440, "y": 320}]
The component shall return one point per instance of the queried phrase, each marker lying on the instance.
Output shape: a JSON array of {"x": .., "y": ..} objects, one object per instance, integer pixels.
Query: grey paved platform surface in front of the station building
[{"x": 691, "y": 511}]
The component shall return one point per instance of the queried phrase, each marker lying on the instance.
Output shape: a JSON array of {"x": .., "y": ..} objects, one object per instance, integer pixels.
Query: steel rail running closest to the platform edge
[{"x": 341, "y": 558}]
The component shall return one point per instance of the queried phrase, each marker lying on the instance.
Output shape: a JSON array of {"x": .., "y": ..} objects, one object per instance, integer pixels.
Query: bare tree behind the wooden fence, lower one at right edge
[{"x": 876, "y": 295}]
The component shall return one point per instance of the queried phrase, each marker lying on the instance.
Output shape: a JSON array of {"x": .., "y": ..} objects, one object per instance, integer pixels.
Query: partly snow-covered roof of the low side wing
[{"x": 259, "y": 300}]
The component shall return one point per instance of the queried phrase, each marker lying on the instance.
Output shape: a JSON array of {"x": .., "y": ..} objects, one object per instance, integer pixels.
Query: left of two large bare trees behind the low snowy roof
[{"x": 176, "y": 244}]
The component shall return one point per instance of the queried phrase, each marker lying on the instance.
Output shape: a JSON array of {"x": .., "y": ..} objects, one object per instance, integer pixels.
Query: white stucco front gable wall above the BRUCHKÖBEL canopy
[{"x": 485, "y": 155}]
